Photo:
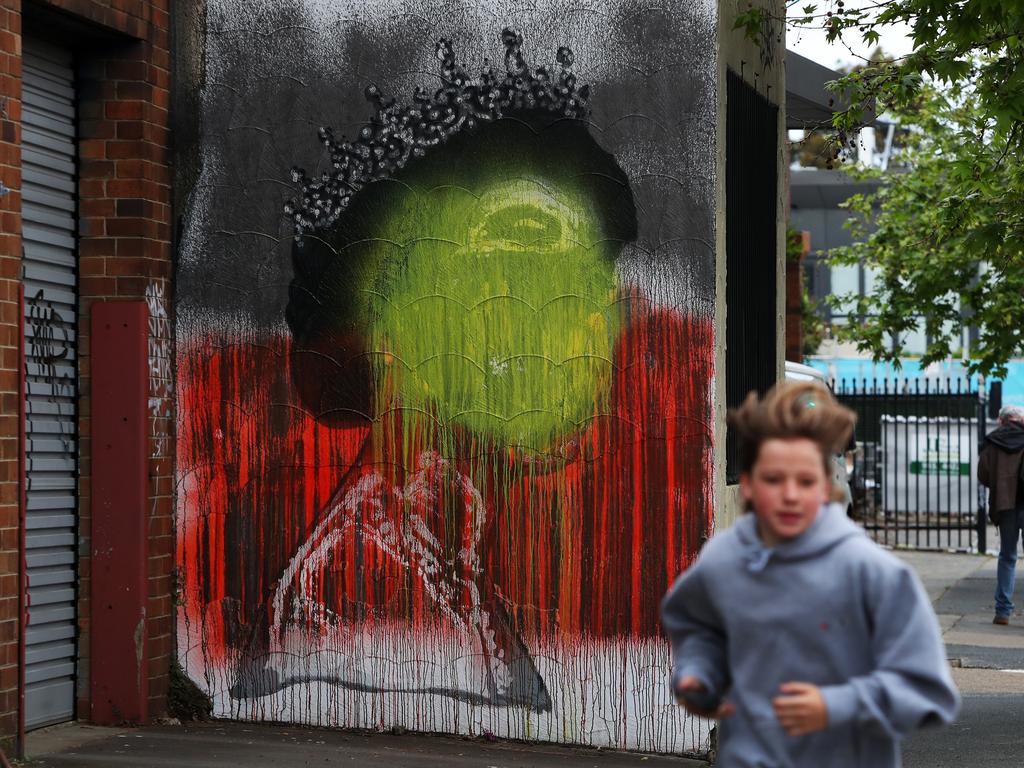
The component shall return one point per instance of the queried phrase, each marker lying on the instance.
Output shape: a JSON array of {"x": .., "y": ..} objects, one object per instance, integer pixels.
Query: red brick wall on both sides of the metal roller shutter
[{"x": 124, "y": 253}]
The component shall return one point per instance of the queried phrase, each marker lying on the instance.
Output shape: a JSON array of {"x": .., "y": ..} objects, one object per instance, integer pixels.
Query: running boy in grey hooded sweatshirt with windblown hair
[{"x": 813, "y": 646}]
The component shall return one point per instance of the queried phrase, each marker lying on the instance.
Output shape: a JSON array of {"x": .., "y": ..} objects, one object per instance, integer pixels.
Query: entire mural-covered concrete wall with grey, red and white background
[{"x": 440, "y": 460}]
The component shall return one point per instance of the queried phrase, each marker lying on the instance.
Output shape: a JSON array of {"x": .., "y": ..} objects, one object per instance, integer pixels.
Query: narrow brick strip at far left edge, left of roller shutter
[{"x": 11, "y": 331}]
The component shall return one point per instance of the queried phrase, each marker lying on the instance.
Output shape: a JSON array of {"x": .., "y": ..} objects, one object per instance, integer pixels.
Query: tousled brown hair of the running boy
[{"x": 792, "y": 410}]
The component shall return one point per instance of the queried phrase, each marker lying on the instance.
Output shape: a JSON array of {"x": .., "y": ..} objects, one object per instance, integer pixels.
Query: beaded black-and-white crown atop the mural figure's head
[{"x": 398, "y": 134}]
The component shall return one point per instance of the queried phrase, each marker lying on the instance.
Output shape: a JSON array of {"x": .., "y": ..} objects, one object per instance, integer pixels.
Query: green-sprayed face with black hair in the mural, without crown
[{"x": 476, "y": 293}]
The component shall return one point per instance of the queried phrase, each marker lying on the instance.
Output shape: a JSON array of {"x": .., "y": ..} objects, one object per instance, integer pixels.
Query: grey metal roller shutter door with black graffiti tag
[{"x": 49, "y": 221}]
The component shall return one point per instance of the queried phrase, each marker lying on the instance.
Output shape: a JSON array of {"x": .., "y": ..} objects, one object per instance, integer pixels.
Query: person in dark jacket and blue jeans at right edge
[{"x": 1001, "y": 471}]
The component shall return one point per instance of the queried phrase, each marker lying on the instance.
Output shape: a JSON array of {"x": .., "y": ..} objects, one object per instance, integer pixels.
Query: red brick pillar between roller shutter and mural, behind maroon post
[{"x": 125, "y": 252}]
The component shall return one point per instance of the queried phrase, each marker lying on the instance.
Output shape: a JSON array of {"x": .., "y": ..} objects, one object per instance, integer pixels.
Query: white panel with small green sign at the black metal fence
[{"x": 928, "y": 465}]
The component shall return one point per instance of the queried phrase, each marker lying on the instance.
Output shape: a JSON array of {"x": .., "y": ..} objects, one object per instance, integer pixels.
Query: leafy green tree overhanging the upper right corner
[{"x": 950, "y": 233}]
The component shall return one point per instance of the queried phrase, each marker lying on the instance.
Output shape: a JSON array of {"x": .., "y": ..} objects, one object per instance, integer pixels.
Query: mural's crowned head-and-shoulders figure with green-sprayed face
[{"x": 462, "y": 300}]
